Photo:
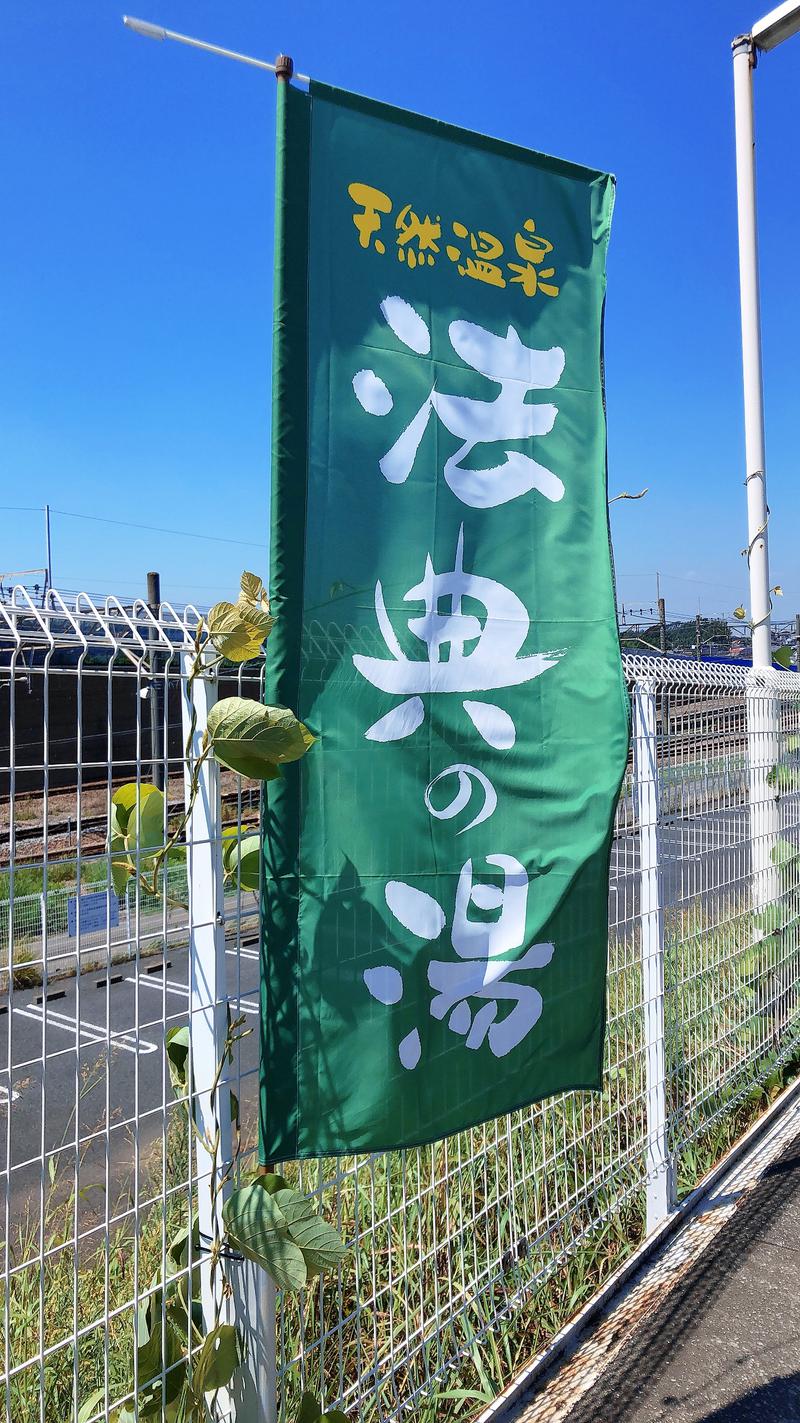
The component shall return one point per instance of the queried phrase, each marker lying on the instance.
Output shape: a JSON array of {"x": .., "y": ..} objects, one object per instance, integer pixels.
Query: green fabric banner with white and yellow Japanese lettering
[{"x": 436, "y": 889}]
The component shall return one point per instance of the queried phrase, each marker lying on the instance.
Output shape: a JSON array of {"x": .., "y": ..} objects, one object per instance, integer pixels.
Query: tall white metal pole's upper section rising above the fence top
[{"x": 757, "y": 480}]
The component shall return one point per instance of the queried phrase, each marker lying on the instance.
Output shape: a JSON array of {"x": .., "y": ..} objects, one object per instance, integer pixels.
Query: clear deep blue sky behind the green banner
[{"x": 137, "y": 260}]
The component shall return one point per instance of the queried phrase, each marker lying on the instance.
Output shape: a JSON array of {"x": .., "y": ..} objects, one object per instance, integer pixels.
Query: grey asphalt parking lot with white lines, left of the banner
[{"x": 103, "y": 1040}]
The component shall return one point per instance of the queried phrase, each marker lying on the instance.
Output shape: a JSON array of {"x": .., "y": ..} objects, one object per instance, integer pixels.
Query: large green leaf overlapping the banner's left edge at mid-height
[{"x": 256, "y": 741}]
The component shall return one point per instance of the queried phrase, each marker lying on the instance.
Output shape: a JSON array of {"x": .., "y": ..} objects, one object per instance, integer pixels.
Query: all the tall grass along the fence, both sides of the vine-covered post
[{"x": 469, "y": 1254}]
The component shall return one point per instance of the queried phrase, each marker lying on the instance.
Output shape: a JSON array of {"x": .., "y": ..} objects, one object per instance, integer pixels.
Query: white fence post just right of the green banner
[{"x": 660, "y": 1166}]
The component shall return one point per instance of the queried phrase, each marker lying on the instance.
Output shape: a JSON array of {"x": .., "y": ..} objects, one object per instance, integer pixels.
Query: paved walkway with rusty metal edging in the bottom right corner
[{"x": 708, "y": 1335}]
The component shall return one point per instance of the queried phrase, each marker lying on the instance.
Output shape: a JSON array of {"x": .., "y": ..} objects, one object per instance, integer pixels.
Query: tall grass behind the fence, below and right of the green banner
[{"x": 473, "y": 1253}]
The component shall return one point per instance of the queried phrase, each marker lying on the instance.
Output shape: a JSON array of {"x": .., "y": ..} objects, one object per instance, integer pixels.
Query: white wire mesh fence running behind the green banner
[{"x": 465, "y": 1256}]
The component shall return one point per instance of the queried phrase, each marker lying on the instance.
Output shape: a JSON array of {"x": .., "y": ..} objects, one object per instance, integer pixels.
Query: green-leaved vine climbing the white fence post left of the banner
[{"x": 184, "y": 1360}]
